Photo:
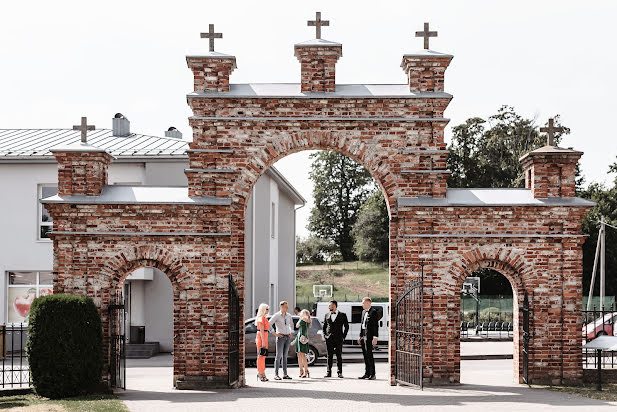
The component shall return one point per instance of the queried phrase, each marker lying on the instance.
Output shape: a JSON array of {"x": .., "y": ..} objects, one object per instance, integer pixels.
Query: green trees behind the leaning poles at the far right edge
[{"x": 606, "y": 205}]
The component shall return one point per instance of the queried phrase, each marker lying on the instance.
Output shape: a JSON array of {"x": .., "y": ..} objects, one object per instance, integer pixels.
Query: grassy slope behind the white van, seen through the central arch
[{"x": 349, "y": 280}]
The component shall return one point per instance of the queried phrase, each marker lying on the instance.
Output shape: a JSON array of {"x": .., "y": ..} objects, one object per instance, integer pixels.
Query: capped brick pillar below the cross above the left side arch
[{"x": 82, "y": 169}]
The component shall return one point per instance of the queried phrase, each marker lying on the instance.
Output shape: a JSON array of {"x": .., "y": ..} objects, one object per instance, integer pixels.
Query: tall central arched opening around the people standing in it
[{"x": 294, "y": 252}]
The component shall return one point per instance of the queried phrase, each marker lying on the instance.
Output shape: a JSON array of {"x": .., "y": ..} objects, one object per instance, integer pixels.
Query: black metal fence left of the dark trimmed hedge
[{"x": 15, "y": 369}]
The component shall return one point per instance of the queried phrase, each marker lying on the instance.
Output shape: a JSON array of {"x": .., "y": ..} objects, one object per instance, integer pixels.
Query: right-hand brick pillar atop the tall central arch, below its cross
[{"x": 425, "y": 70}]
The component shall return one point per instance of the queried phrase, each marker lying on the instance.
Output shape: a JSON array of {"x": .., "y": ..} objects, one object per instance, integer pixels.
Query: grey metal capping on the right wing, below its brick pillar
[{"x": 491, "y": 197}]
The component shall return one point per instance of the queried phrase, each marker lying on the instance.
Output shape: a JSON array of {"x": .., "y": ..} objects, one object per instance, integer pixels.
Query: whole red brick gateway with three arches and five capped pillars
[{"x": 395, "y": 132}]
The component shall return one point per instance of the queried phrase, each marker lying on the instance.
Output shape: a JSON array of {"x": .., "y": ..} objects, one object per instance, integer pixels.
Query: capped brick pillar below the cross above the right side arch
[{"x": 550, "y": 171}]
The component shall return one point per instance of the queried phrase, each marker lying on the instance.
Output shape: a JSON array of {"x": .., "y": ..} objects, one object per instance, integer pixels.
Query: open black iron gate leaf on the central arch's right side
[{"x": 409, "y": 315}]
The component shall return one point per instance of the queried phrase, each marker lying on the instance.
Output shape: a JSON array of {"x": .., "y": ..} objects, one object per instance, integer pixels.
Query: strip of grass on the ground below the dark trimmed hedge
[{"x": 91, "y": 403}]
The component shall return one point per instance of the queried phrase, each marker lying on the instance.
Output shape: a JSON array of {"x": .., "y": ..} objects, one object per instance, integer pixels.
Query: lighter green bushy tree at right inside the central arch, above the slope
[{"x": 370, "y": 232}]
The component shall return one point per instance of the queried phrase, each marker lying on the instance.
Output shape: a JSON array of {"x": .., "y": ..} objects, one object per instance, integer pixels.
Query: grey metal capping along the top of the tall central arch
[{"x": 292, "y": 90}]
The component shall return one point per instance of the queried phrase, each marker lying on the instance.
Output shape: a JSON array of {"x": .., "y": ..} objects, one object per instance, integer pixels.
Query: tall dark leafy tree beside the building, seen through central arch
[{"x": 340, "y": 186}]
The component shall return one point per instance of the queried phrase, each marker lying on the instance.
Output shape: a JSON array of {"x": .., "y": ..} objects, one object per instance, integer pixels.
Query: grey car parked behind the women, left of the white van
[{"x": 317, "y": 343}]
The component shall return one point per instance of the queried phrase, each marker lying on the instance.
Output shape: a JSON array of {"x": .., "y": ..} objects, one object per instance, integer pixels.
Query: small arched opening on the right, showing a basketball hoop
[{"x": 490, "y": 330}]
